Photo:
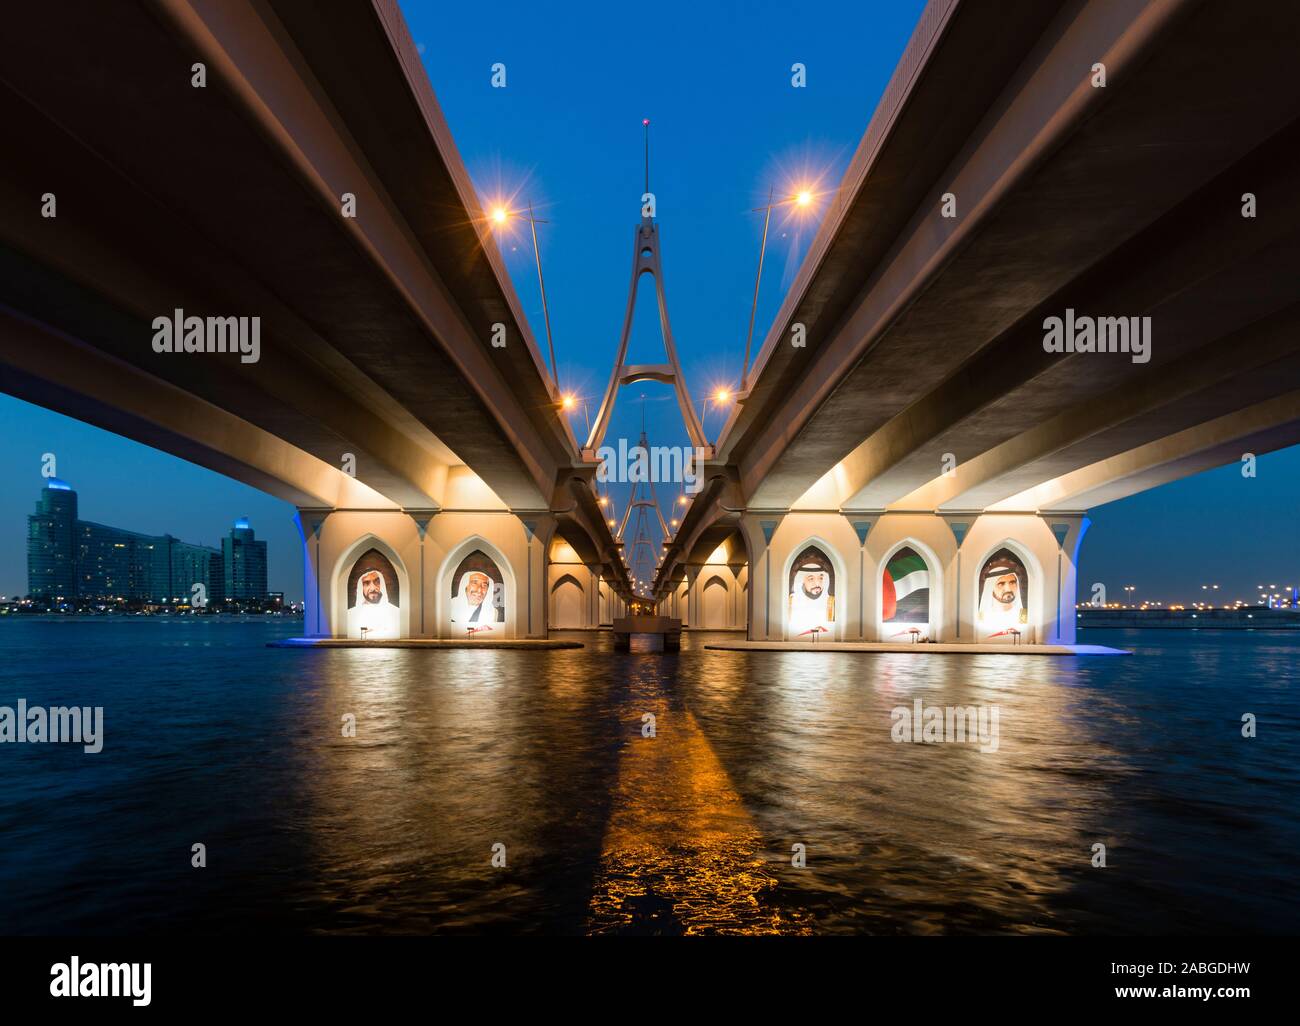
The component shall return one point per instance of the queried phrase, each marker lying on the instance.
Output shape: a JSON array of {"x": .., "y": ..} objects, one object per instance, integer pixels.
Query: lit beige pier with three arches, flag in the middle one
[{"x": 912, "y": 578}]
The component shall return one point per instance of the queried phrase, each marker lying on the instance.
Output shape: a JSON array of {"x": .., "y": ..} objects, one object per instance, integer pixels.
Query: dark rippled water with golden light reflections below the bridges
[{"x": 214, "y": 738}]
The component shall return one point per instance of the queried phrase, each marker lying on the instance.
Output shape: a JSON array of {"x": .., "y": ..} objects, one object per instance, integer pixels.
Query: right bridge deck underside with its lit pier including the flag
[{"x": 1000, "y": 185}]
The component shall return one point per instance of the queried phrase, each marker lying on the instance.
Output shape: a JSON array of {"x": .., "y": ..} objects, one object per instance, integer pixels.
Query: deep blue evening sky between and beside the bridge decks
[{"x": 726, "y": 127}]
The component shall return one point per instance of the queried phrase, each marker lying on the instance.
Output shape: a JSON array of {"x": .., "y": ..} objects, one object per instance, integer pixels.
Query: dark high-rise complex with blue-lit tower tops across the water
[{"x": 70, "y": 559}]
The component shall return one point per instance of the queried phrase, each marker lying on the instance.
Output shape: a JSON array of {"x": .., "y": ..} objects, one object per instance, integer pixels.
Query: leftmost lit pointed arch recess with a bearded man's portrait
[{"x": 383, "y": 608}]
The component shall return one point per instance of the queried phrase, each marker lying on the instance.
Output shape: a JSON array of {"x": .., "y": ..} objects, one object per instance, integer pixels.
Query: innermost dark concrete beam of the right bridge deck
[{"x": 1056, "y": 178}]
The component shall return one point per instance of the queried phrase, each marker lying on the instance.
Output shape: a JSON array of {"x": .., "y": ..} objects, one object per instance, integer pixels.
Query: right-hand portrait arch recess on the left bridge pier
[{"x": 469, "y": 605}]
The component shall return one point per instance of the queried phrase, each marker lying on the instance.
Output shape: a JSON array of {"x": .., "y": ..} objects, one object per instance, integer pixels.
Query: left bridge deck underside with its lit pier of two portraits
[{"x": 287, "y": 162}]
